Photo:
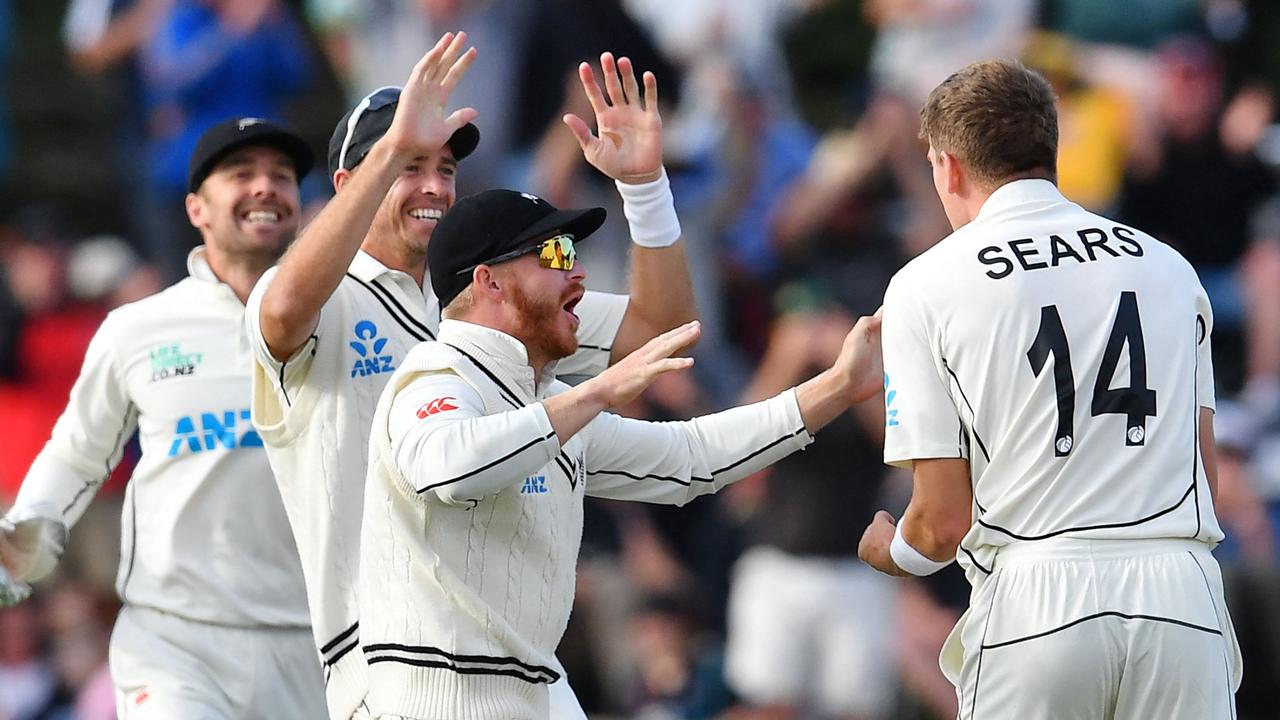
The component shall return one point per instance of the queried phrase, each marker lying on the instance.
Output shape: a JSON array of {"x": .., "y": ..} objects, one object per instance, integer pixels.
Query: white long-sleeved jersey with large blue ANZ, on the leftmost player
[{"x": 204, "y": 536}]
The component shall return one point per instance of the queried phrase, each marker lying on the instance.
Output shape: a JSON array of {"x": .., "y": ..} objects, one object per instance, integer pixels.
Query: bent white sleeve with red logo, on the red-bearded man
[{"x": 445, "y": 444}]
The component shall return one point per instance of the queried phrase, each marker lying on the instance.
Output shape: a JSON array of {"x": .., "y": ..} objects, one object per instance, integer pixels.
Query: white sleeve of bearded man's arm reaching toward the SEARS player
[{"x": 674, "y": 463}]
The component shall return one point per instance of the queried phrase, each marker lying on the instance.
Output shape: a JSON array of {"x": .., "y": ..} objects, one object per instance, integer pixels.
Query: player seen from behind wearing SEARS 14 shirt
[{"x": 1049, "y": 379}]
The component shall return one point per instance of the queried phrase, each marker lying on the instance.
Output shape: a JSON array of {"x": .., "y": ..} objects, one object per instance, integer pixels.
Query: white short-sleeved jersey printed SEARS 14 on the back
[{"x": 1067, "y": 357}]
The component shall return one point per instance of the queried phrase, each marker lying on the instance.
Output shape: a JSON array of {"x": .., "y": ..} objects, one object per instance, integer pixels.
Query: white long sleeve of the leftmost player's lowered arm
[{"x": 86, "y": 443}]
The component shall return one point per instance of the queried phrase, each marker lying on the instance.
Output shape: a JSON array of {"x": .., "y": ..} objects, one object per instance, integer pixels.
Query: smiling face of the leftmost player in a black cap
[{"x": 249, "y": 204}]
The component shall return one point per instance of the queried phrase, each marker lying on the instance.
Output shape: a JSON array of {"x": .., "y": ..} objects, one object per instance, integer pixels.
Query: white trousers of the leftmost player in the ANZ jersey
[{"x": 164, "y": 668}]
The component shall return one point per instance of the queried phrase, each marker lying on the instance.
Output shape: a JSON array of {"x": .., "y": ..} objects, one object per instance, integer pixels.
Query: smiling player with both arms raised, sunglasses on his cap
[{"x": 351, "y": 298}]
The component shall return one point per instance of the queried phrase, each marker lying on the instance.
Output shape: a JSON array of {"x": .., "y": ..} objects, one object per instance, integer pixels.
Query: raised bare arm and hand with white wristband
[{"x": 629, "y": 149}]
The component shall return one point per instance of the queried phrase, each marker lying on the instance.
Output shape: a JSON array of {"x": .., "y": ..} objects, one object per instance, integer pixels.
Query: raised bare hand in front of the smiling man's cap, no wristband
[{"x": 420, "y": 124}]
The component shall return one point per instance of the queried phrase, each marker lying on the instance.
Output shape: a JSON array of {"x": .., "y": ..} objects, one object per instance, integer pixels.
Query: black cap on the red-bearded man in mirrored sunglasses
[{"x": 487, "y": 225}]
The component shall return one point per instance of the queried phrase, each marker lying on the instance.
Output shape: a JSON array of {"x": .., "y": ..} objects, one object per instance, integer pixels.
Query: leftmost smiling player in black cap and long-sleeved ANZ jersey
[{"x": 214, "y": 621}]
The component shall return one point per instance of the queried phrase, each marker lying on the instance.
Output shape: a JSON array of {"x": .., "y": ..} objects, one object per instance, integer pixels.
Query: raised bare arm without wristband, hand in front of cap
[{"x": 313, "y": 268}]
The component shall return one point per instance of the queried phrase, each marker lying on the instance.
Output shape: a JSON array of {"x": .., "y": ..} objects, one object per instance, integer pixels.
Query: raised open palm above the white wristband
[{"x": 629, "y": 147}]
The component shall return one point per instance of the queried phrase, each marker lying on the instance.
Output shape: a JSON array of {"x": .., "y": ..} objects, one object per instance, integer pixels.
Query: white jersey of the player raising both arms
[{"x": 316, "y": 411}]
